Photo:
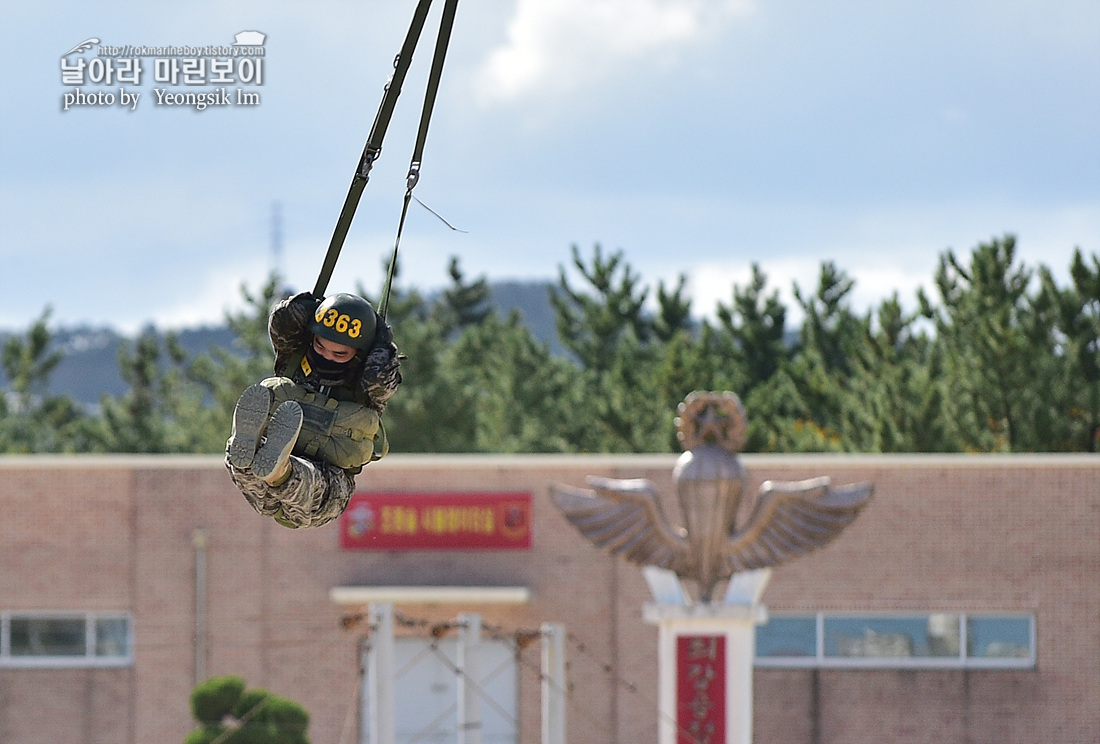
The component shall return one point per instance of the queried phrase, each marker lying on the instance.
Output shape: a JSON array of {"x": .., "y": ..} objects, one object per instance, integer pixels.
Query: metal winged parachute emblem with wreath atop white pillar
[{"x": 786, "y": 521}]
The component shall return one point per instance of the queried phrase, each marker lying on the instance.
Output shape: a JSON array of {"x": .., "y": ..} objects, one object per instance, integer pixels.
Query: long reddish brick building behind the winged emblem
[{"x": 963, "y": 606}]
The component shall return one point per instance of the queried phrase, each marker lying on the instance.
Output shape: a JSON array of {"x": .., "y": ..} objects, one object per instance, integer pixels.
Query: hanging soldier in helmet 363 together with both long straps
[{"x": 300, "y": 439}]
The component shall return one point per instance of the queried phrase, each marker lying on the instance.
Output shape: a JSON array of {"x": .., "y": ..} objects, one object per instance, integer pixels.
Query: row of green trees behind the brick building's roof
[{"x": 999, "y": 358}]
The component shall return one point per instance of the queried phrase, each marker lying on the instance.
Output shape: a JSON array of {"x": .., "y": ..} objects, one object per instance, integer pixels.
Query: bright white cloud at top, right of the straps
[{"x": 556, "y": 47}]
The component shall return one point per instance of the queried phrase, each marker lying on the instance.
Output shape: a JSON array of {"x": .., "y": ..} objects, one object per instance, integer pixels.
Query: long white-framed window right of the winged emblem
[{"x": 895, "y": 641}]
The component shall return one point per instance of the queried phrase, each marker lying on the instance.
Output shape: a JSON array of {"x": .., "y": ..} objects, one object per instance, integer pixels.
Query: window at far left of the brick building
[{"x": 65, "y": 640}]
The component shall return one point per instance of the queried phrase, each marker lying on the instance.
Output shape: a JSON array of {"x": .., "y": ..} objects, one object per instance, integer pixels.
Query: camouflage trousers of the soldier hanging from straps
[{"x": 314, "y": 495}]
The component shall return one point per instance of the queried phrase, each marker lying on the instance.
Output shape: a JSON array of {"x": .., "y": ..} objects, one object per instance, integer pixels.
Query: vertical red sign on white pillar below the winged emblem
[{"x": 701, "y": 690}]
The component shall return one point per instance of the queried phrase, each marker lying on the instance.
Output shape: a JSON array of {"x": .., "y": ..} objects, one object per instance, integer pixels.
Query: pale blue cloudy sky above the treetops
[{"x": 697, "y": 137}]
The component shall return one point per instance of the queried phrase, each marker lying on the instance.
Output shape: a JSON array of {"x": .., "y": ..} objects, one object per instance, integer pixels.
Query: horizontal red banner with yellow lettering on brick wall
[{"x": 437, "y": 522}]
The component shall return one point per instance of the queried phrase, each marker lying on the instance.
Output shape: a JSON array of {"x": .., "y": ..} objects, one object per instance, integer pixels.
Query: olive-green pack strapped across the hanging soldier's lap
[{"x": 345, "y": 433}]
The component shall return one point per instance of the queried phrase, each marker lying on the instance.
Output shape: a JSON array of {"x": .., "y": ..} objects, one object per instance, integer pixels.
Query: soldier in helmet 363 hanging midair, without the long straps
[{"x": 300, "y": 441}]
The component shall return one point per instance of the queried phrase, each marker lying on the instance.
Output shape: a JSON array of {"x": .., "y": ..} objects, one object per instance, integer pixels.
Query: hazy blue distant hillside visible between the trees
[{"x": 91, "y": 367}]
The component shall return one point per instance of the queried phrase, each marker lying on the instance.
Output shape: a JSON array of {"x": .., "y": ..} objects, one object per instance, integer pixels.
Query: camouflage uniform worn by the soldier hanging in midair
[{"x": 317, "y": 491}]
